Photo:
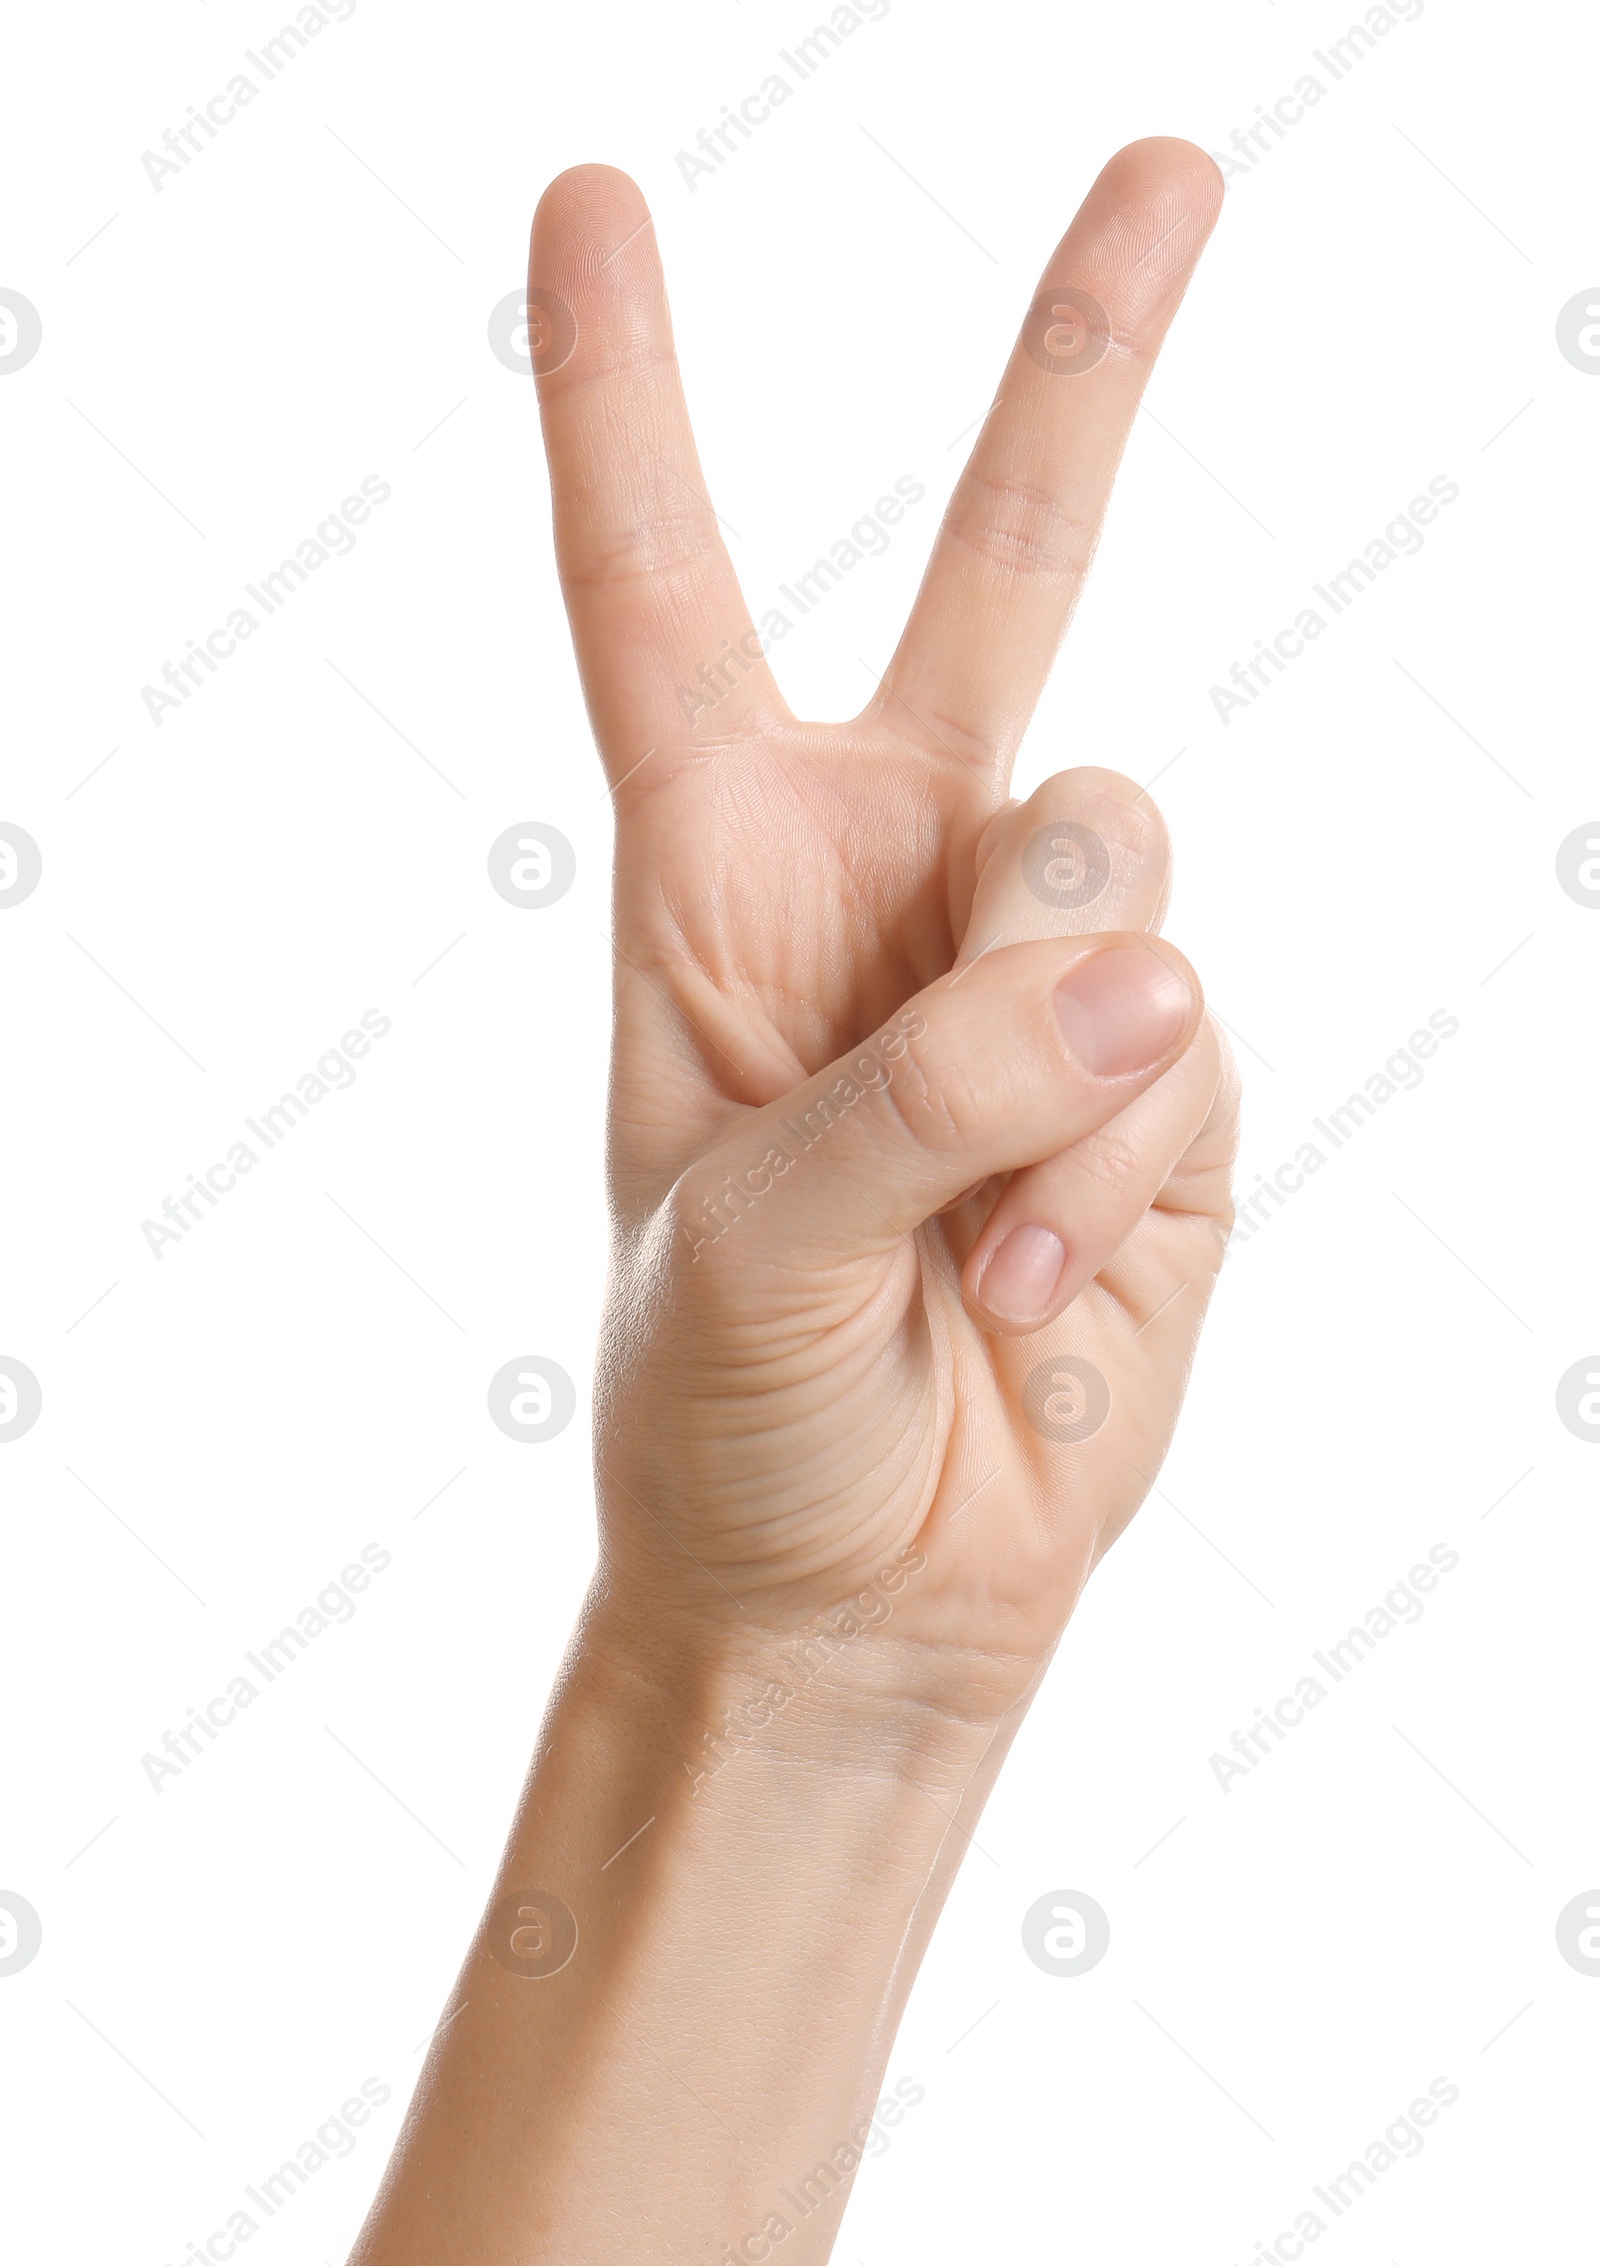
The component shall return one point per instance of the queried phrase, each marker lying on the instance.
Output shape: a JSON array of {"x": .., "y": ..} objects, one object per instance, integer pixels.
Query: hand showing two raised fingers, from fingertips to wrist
[{"x": 919, "y": 1136}]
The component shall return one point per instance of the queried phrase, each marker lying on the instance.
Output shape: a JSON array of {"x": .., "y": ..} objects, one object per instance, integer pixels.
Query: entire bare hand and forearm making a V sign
[{"x": 837, "y": 1549}]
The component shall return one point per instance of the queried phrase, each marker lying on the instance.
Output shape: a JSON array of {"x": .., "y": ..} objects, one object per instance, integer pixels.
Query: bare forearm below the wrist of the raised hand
[{"x": 749, "y": 1918}]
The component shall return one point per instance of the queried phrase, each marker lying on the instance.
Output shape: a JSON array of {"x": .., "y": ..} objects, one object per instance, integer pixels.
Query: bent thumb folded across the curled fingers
[{"x": 998, "y": 1066}]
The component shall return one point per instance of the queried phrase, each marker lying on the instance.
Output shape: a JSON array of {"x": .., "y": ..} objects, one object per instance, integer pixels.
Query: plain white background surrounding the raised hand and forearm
[{"x": 223, "y": 896}]
